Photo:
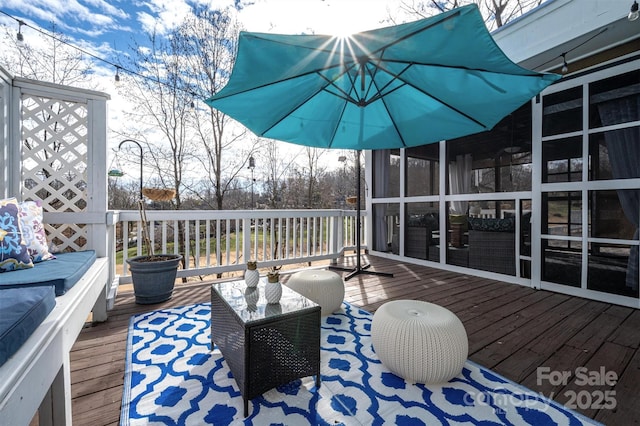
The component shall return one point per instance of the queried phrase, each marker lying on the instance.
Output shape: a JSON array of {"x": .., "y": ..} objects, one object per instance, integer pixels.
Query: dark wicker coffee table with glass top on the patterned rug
[{"x": 265, "y": 345}]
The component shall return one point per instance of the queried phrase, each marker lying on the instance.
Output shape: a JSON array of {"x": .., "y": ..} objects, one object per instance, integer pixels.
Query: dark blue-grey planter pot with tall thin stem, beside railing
[{"x": 153, "y": 275}]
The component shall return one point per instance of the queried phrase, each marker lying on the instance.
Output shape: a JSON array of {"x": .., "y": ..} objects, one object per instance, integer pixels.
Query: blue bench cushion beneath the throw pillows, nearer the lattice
[{"x": 63, "y": 272}]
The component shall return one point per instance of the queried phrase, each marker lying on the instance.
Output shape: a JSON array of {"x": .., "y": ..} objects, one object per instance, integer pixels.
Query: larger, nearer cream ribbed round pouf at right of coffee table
[{"x": 419, "y": 341}]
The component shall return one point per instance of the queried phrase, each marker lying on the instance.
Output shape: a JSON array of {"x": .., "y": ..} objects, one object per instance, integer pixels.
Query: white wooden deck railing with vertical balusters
[{"x": 218, "y": 241}]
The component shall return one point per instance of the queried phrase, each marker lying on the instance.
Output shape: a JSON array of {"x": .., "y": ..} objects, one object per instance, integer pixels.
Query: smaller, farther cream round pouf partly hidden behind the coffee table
[{"x": 325, "y": 288}]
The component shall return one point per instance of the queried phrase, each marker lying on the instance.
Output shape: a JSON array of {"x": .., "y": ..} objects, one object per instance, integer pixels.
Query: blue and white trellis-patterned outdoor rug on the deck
[{"x": 172, "y": 378}]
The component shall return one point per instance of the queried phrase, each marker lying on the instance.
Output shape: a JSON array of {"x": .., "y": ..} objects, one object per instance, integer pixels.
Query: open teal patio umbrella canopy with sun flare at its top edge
[{"x": 395, "y": 87}]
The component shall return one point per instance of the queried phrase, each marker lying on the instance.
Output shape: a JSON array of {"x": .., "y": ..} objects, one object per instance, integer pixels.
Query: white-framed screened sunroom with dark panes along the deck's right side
[{"x": 549, "y": 197}]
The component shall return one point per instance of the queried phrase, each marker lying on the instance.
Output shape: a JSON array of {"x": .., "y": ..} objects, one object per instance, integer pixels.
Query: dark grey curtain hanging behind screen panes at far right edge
[{"x": 624, "y": 155}]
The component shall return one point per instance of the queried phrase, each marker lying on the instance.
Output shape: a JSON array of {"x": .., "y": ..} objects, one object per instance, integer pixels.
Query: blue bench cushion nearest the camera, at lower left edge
[{"x": 21, "y": 312}]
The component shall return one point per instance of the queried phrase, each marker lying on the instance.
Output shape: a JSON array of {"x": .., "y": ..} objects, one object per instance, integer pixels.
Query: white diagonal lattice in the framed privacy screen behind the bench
[{"x": 54, "y": 162}]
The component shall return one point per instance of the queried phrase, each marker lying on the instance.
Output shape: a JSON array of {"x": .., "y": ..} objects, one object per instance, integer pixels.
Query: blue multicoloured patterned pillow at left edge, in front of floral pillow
[{"x": 13, "y": 251}]
